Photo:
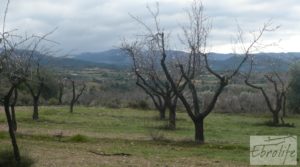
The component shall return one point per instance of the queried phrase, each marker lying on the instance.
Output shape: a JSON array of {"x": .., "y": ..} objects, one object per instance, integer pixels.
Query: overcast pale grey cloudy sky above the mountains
[{"x": 98, "y": 25}]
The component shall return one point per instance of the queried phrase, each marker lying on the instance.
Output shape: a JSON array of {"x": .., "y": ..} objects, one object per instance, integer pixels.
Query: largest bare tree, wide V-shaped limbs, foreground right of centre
[{"x": 195, "y": 64}]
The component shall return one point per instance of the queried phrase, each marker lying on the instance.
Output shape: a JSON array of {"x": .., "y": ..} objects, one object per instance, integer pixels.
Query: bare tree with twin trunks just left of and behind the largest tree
[{"x": 146, "y": 54}]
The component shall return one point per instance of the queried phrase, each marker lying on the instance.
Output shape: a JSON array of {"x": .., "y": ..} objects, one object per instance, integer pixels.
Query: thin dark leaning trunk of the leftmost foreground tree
[{"x": 11, "y": 130}]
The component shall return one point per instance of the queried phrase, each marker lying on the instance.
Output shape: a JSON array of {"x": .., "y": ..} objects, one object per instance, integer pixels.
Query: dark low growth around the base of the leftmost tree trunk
[{"x": 7, "y": 160}]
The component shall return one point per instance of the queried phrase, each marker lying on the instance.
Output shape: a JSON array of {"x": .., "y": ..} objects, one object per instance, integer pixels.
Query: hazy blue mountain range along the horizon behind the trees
[{"x": 119, "y": 60}]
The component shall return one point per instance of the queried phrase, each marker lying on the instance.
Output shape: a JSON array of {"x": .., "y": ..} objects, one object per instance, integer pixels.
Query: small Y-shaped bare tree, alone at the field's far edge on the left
[{"x": 75, "y": 96}]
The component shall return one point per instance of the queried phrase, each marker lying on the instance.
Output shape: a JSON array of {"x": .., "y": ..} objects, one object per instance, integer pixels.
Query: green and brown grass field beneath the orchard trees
[{"x": 104, "y": 137}]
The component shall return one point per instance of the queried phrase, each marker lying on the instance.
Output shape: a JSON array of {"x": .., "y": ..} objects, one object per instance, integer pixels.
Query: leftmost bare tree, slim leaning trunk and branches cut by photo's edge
[{"x": 15, "y": 62}]
